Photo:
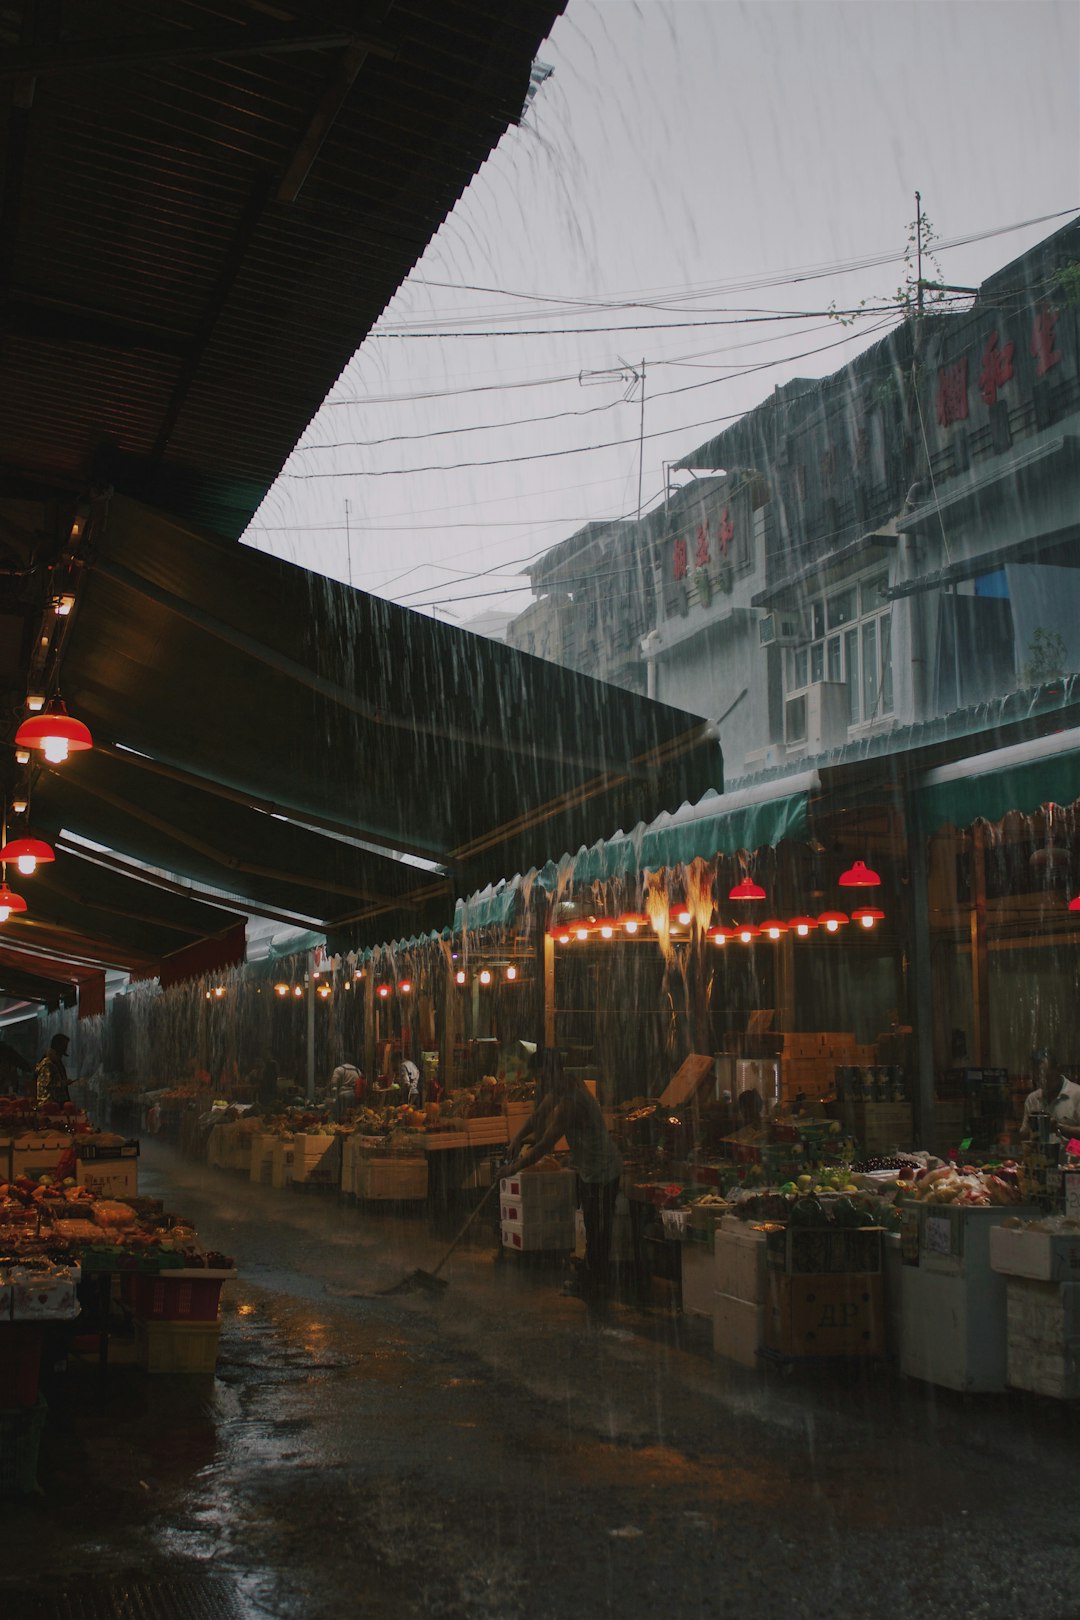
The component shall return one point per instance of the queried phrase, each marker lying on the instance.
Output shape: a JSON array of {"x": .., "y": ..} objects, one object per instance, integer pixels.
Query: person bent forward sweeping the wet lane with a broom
[{"x": 569, "y": 1109}]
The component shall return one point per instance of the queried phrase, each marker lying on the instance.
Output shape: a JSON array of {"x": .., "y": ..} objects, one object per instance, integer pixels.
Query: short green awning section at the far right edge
[{"x": 1008, "y": 780}]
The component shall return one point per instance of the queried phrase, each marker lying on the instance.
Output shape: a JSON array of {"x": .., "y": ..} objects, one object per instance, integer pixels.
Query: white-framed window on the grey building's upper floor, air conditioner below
[{"x": 849, "y": 641}]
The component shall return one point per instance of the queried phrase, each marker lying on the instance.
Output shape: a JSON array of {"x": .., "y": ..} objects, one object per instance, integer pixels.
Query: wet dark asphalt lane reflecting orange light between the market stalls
[{"x": 501, "y": 1452}]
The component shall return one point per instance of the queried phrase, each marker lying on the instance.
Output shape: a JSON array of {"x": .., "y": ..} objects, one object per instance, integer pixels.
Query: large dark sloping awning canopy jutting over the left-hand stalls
[{"x": 286, "y": 740}]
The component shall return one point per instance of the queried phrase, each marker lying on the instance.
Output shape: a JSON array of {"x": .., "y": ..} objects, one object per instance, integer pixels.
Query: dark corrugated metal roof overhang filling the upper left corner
[{"x": 195, "y": 244}]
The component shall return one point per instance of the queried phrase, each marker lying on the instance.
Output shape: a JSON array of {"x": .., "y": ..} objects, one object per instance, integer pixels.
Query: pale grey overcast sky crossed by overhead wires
[{"x": 689, "y": 155}]
